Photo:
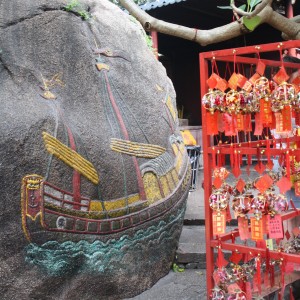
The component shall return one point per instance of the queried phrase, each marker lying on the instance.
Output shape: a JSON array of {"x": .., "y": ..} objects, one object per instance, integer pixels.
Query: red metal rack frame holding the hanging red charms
[{"x": 244, "y": 55}]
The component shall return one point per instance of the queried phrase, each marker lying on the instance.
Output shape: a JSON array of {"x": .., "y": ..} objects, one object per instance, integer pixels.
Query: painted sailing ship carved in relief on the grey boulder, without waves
[{"x": 162, "y": 180}]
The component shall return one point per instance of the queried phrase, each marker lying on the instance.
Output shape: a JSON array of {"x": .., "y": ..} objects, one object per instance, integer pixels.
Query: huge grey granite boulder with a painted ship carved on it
[{"x": 93, "y": 172}]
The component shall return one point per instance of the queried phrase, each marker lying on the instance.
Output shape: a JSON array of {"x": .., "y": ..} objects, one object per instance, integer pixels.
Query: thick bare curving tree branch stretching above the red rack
[{"x": 215, "y": 35}]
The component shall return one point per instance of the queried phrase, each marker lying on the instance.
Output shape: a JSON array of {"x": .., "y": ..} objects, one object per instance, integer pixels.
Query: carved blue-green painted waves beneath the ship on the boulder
[{"x": 59, "y": 259}]
